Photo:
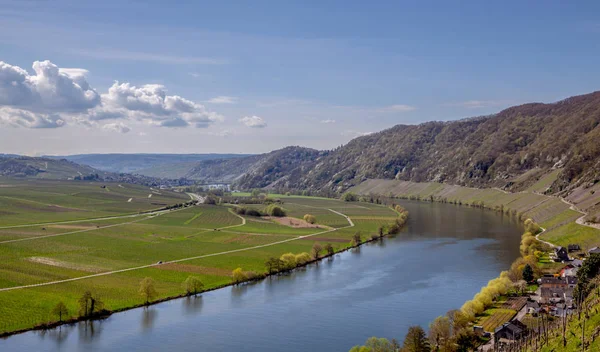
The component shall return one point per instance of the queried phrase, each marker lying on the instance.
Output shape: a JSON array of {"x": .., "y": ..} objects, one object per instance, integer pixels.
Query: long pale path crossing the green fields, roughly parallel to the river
[{"x": 351, "y": 224}]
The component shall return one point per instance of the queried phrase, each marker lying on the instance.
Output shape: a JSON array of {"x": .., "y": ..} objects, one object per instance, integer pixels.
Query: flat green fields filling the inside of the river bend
[{"x": 110, "y": 257}]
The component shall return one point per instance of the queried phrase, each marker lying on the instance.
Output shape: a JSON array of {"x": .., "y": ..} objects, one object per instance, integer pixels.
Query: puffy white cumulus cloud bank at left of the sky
[{"x": 53, "y": 97}]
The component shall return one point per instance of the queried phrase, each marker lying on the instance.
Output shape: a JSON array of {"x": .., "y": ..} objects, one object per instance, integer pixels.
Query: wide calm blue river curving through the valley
[{"x": 444, "y": 255}]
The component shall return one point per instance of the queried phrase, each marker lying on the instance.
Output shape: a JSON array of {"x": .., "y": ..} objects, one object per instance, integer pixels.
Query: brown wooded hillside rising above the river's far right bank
[{"x": 557, "y": 144}]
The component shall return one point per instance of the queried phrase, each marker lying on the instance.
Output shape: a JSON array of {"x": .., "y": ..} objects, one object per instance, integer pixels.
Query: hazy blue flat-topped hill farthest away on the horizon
[{"x": 133, "y": 163}]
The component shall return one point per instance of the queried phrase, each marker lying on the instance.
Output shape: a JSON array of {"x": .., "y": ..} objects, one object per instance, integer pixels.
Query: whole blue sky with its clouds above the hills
[{"x": 253, "y": 76}]
